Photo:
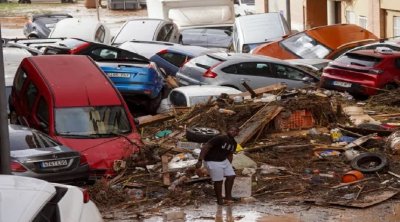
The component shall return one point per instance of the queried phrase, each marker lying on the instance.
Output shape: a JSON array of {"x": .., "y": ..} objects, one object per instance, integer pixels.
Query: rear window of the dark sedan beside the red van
[{"x": 24, "y": 139}]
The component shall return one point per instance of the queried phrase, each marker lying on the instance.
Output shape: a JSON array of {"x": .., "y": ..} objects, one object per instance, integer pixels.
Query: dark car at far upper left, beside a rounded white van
[{"x": 41, "y": 25}]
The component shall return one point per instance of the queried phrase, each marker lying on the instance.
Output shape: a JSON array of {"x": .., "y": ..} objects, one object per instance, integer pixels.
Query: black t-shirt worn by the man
[{"x": 221, "y": 147}]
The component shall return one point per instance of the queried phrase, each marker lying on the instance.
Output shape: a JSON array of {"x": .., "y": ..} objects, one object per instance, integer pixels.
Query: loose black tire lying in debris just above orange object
[{"x": 363, "y": 162}]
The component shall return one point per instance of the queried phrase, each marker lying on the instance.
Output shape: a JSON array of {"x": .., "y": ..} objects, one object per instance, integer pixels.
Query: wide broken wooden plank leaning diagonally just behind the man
[{"x": 251, "y": 127}]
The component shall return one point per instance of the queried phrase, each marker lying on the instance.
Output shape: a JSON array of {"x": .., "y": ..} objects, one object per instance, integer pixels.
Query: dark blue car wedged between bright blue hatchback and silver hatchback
[{"x": 172, "y": 58}]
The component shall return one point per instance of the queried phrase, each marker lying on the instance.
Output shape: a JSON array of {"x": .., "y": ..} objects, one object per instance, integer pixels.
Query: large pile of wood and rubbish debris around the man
[{"x": 300, "y": 160}]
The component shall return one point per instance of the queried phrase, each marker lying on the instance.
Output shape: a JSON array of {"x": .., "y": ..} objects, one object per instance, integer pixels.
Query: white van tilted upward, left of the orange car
[{"x": 252, "y": 30}]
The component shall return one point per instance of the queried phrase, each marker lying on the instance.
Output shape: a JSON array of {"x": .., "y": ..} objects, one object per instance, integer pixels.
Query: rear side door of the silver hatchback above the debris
[{"x": 255, "y": 74}]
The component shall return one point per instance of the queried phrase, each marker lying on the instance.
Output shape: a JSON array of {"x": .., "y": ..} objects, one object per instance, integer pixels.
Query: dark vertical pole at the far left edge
[{"x": 4, "y": 139}]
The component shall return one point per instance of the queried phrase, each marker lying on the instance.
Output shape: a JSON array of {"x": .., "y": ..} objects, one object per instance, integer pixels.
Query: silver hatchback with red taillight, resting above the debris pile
[{"x": 232, "y": 69}]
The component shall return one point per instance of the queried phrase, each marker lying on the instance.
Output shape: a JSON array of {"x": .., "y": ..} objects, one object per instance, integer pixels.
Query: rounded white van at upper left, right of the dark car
[{"x": 83, "y": 28}]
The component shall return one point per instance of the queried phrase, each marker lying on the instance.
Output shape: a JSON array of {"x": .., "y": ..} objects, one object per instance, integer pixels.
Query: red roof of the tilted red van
[{"x": 75, "y": 80}]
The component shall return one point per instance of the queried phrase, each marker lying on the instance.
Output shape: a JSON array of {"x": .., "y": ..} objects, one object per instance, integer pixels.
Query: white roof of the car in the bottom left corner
[{"x": 23, "y": 197}]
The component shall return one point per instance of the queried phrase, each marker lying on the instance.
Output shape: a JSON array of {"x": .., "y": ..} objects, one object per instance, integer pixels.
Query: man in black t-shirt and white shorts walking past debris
[{"x": 217, "y": 154}]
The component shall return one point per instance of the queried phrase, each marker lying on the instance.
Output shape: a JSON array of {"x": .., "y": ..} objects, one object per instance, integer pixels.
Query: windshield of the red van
[{"x": 91, "y": 121}]
